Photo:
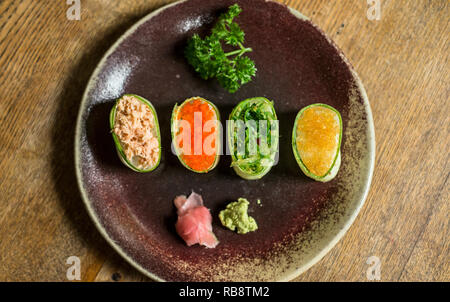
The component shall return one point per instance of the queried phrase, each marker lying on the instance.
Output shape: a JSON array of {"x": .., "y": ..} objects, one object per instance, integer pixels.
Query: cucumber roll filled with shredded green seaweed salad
[{"x": 253, "y": 137}]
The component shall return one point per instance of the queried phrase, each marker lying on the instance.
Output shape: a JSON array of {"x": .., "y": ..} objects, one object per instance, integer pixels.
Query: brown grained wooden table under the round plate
[{"x": 403, "y": 60}]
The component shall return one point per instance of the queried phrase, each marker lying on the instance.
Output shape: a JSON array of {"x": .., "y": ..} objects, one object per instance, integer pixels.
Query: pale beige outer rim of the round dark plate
[{"x": 295, "y": 273}]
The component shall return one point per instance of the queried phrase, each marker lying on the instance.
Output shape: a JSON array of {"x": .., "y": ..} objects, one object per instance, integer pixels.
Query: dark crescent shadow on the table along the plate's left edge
[{"x": 62, "y": 149}]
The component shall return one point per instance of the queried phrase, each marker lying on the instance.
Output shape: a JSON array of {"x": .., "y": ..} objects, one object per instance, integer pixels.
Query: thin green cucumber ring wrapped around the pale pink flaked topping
[{"x": 120, "y": 152}]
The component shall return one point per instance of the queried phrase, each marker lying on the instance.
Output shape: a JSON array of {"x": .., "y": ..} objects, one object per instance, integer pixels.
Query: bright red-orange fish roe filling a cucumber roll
[{"x": 204, "y": 160}]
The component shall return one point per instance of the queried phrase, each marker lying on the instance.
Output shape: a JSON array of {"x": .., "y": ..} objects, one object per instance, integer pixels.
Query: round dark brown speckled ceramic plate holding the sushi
[{"x": 299, "y": 219}]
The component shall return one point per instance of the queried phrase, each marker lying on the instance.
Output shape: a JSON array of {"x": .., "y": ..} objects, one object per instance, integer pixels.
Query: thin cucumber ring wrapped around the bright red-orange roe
[{"x": 174, "y": 129}]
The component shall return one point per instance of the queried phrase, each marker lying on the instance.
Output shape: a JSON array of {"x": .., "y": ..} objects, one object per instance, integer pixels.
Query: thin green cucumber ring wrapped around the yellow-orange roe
[{"x": 334, "y": 168}]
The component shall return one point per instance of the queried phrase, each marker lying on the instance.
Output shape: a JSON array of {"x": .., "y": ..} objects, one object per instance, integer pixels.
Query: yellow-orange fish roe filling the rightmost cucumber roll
[{"x": 317, "y": 135}]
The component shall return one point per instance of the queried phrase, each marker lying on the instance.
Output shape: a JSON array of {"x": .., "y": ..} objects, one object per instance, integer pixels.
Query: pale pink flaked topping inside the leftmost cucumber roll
[{"x": 135, "y": 127}]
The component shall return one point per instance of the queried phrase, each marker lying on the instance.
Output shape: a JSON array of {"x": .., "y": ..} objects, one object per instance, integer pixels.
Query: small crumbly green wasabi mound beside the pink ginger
[{"x": 235, "y": 217}]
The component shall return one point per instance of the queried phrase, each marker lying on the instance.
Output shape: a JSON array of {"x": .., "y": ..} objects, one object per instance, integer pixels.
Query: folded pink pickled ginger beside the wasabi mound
[{"x": 194, "y": 221}]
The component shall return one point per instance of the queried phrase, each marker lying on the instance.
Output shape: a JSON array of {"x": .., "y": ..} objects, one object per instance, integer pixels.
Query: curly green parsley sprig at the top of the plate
[{"x": 231, "y": 69}]
